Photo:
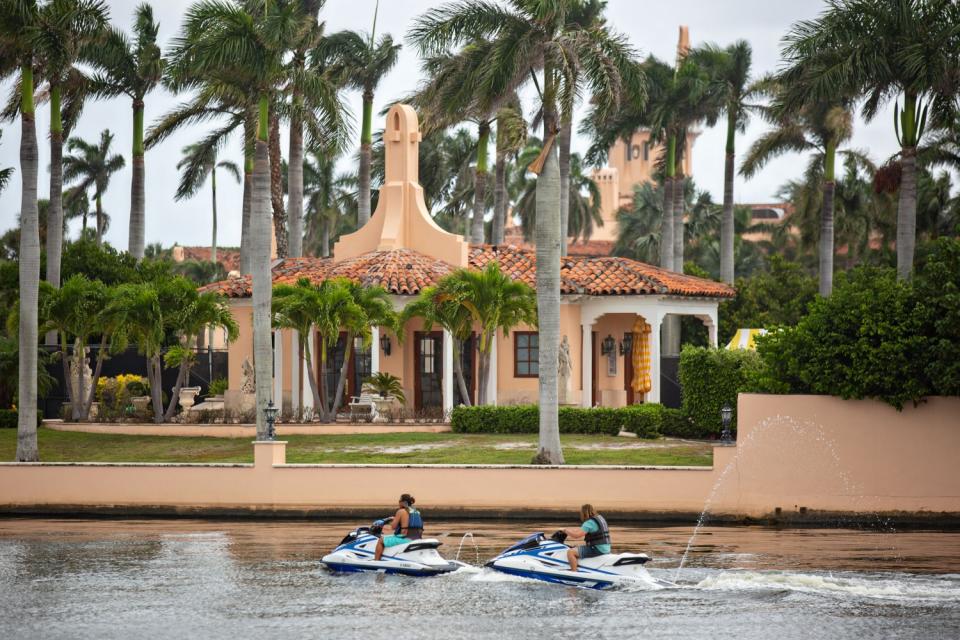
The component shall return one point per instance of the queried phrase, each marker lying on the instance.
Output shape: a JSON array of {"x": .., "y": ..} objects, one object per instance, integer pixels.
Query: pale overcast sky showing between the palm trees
[{"x": 650, "y": 26}]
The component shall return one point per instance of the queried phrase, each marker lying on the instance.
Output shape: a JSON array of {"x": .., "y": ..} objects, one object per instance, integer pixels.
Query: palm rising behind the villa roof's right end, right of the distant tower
[{"x": 729, "y": 69}]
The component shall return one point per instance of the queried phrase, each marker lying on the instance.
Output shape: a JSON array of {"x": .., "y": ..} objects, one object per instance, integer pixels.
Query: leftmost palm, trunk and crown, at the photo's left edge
[{"x": 17, "y": 21}]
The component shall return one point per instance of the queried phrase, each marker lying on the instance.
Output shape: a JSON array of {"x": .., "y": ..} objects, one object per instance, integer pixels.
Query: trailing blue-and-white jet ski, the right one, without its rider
[{"x": 542, "y": 558}]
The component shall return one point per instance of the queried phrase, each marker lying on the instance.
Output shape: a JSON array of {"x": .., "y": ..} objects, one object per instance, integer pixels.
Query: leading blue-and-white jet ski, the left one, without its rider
[{"x": 416, "y": 558}]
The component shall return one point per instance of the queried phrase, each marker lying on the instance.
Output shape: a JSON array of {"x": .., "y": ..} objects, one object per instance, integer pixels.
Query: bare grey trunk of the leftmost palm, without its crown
[{"x": 29, "y": 274}]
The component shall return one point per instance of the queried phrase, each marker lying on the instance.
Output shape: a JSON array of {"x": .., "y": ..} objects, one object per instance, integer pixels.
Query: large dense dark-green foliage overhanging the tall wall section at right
[{"x": 875, "y": 336}]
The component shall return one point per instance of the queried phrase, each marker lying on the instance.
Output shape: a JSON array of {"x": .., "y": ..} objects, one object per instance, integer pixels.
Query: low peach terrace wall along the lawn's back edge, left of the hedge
[{"x": 241, "y": 430}]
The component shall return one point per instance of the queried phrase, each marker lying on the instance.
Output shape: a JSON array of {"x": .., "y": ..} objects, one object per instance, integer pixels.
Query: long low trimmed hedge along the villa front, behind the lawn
[{"x": 644, "y": 420}]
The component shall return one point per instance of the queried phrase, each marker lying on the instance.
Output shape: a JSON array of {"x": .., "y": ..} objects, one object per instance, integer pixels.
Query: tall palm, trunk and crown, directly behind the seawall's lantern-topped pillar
[{"x": 227, "y": 40}]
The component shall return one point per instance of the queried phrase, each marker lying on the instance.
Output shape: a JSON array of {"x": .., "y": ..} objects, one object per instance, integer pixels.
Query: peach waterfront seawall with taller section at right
[{"x": 808, "y": 456}]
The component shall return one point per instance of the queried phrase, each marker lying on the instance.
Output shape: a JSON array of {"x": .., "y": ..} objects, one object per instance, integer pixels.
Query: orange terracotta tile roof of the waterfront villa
[{"x": 407, "y": 272}]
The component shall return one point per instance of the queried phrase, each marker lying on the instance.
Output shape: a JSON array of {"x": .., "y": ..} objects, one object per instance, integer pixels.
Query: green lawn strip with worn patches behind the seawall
[{"x": 388, "y": 448}]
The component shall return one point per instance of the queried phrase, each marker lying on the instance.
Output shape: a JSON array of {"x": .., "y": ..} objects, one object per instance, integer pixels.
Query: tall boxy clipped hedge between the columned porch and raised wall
[{"x": 712, "y": 378}]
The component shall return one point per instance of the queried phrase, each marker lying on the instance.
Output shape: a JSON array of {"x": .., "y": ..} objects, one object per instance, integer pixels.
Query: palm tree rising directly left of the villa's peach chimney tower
[{"x": 361, "y": 62}]
